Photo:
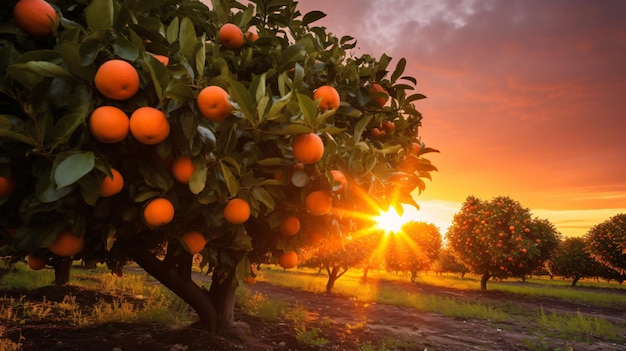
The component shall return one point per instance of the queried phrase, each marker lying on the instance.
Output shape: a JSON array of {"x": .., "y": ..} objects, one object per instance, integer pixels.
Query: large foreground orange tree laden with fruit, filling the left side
[{"x": 233, "y": 107}]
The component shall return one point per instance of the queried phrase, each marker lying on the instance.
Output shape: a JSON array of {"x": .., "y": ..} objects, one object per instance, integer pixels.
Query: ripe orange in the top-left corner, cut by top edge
[{"x": 35, "y": 17}]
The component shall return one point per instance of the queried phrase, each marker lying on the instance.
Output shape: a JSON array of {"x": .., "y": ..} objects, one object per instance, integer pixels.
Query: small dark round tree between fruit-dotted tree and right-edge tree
[{"x": 571, "y": 260}]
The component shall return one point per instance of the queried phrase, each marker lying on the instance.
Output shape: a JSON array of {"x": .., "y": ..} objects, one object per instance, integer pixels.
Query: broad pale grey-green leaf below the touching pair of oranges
[{"x": 72, "y": 166}]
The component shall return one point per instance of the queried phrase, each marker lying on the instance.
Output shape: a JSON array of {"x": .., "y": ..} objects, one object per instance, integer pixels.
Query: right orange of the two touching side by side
[{"x": 149, "y": 125}]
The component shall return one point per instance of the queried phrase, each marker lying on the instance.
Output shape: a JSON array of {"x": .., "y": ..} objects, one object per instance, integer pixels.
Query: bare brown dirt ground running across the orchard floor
[{"x": 346, "y": 324}]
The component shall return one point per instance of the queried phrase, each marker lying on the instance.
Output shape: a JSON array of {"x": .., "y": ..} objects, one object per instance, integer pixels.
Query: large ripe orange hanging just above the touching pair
[{"x": 117, "y": 79}]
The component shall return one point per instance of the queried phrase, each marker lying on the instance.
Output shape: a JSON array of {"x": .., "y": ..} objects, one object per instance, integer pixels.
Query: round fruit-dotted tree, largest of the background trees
[{"x": 499, "y": 238}]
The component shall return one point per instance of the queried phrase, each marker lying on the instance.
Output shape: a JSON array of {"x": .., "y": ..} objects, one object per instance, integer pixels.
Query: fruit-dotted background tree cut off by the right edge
[{"x": 606, "y": 242}]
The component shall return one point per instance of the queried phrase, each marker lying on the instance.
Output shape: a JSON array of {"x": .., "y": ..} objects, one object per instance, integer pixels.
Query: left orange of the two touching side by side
[{"x": 108, "y": 124}]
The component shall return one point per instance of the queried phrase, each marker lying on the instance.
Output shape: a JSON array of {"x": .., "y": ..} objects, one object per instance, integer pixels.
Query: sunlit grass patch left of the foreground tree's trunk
[{"x": 150, "y": 303}]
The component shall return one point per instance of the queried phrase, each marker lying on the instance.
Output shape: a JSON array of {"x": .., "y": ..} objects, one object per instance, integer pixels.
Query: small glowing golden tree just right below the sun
[{"x": 413, "y": 249}]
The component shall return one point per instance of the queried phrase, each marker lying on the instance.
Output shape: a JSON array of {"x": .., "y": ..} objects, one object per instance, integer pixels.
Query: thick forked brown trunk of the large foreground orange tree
[{"x": 215, "y": 307}]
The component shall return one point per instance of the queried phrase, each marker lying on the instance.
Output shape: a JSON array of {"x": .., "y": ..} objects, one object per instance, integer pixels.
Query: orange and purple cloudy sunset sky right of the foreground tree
[{"x": 525, "y": 99}]
